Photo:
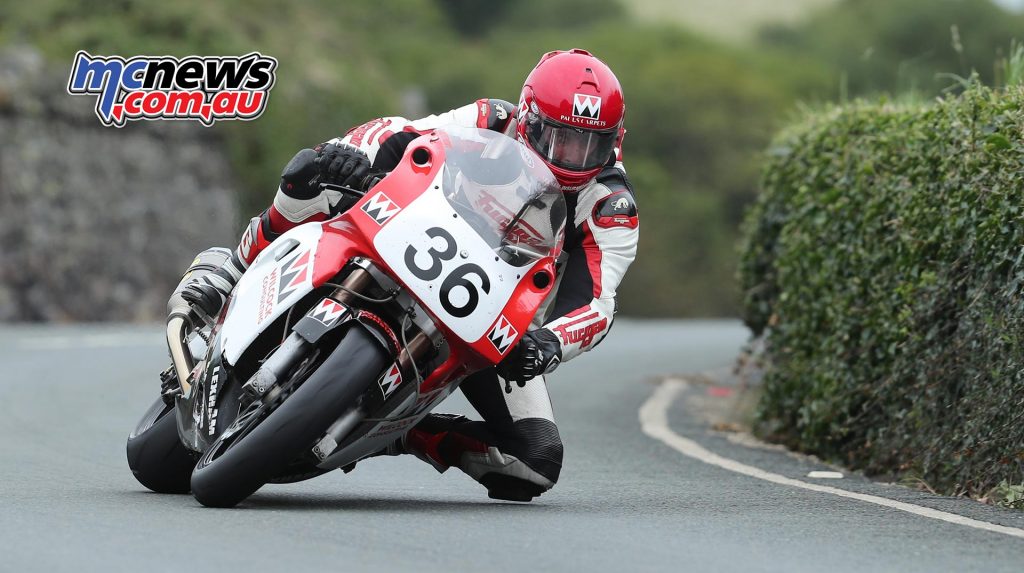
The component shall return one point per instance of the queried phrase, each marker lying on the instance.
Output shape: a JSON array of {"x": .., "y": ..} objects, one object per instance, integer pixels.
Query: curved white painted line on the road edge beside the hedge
[{"x": 654, "y": 420}]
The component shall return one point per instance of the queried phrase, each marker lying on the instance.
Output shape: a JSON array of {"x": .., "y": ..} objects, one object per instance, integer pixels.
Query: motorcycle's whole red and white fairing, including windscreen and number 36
[{"x": 478, "y": 254}]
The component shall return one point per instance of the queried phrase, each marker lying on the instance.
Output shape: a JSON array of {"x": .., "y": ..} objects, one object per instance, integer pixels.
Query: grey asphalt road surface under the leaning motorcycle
[{"x": 69, "y": 396}]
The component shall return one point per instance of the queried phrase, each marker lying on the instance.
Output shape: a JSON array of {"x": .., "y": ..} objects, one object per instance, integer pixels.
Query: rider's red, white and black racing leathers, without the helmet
[{"x": 516, "y": 452}]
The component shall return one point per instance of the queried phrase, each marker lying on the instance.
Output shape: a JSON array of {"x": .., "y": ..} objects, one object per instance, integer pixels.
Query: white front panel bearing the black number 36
[{"x": 456, "y": 270}]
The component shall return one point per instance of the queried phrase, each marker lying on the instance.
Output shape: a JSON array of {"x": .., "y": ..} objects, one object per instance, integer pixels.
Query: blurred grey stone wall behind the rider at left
[{"x": 99, "y": 224}]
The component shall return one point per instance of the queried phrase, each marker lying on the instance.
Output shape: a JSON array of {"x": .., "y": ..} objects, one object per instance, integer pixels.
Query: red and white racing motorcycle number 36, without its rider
[{"x": 343, "y": 335}]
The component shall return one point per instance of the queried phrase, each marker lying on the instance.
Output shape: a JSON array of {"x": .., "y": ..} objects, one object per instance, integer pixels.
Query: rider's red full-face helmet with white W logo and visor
[{"x": 571, "y": 113}]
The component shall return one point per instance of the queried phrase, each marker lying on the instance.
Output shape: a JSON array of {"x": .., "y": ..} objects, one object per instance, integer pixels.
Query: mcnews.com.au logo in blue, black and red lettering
[{"x": 206, "y": 90}]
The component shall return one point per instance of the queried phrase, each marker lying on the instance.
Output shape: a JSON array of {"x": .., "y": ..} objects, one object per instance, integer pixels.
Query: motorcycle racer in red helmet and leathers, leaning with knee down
[{"x": 571, "y": 113}]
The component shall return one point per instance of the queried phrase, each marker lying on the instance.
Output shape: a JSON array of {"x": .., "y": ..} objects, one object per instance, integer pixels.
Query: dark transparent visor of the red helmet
[{"x": 571, "y": 148}]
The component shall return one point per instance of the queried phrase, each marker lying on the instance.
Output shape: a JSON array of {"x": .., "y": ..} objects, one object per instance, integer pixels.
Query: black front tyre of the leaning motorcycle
[{"x": 263, "y": 445}]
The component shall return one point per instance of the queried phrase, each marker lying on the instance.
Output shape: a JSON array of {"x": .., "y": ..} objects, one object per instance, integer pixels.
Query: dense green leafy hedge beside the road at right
[{"x": 884, "y": 262}]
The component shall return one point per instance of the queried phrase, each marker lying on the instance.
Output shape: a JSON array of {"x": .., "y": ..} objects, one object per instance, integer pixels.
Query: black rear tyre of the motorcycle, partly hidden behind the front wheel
[{"x": 157, "y": 458}]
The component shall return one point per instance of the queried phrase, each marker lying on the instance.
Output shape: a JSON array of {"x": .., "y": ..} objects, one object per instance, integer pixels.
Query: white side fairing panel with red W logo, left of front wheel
[{"x": 280, "y": 277}]
